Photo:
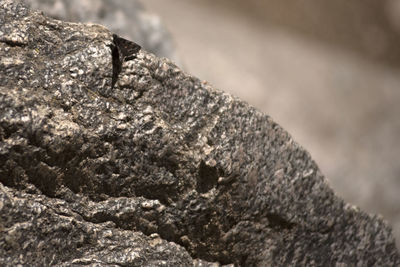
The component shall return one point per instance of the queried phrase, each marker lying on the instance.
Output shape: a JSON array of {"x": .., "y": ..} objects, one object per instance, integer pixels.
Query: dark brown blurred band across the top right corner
[{"x": 371, "y": 28}]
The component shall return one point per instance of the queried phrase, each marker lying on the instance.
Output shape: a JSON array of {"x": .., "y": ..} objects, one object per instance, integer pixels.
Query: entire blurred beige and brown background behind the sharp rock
[{"x": 327, "y": 71}]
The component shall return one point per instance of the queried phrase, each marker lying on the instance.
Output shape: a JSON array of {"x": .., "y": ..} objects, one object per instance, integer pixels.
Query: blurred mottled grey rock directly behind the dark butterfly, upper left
[{"x": 127, "y": 18}]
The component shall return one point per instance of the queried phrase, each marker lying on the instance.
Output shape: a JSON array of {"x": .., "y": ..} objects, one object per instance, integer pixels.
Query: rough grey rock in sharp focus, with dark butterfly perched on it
[{"x": 160, "y": 170}]
